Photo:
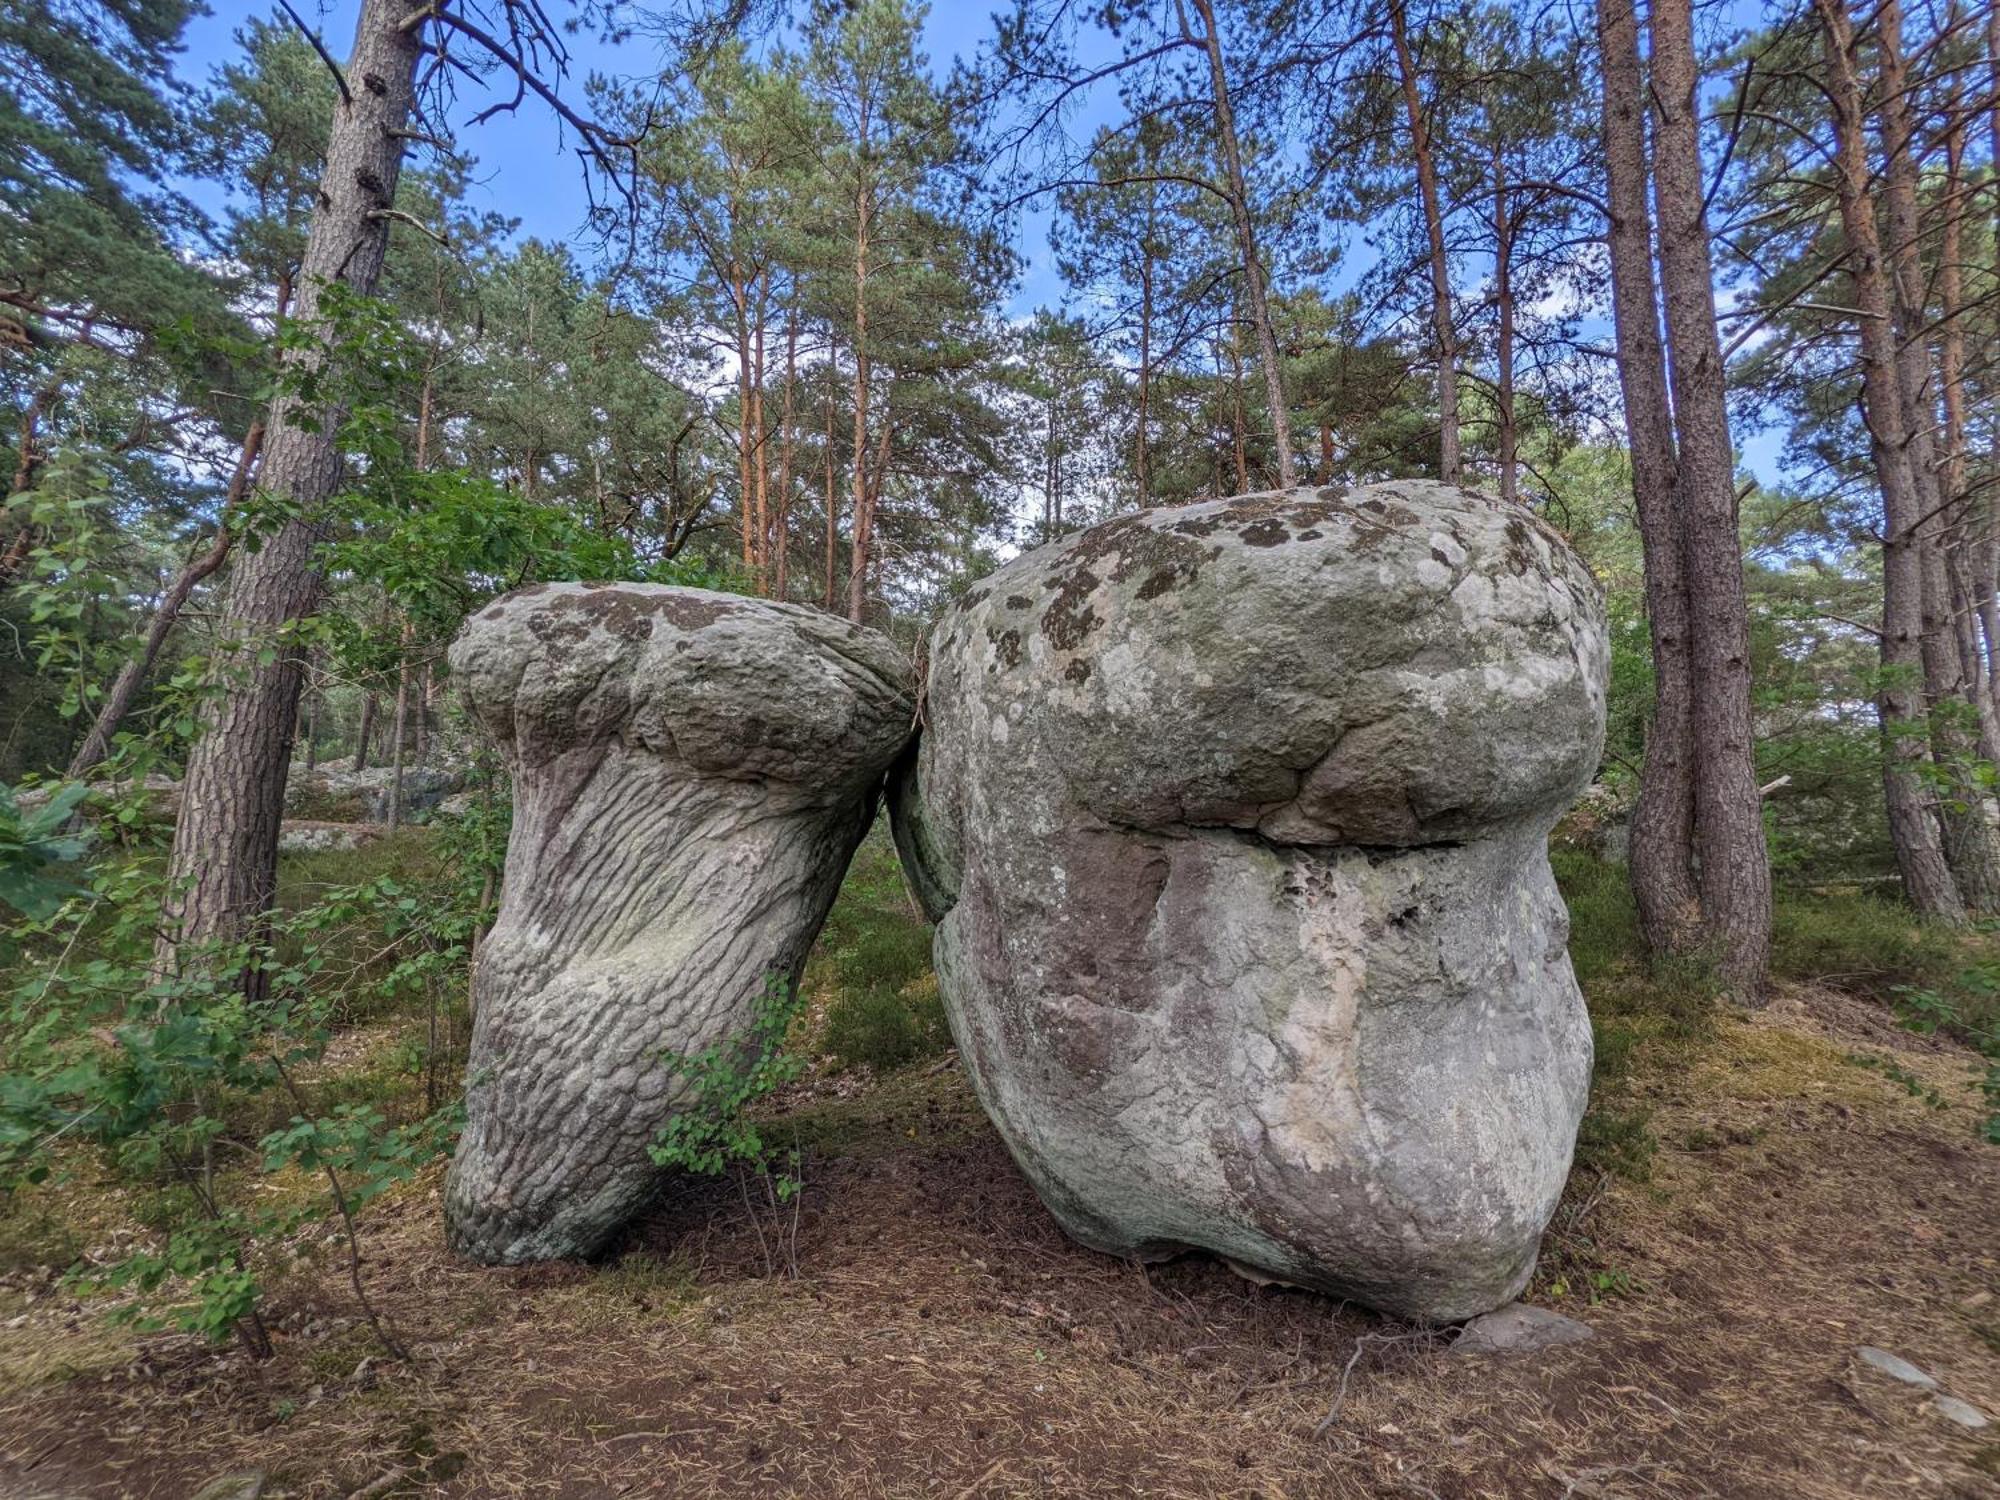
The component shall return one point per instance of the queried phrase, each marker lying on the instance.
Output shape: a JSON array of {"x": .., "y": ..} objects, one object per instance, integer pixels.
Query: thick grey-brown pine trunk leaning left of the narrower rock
[{"x": 225, "y": 861}]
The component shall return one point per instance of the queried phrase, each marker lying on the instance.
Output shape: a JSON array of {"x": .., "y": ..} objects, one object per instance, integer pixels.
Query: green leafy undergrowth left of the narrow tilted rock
[{"x": 195, "y": 1125}]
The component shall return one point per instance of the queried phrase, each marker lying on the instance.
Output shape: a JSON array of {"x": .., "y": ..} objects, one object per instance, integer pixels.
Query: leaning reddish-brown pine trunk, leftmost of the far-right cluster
[{"x": 1927, "y": 879}]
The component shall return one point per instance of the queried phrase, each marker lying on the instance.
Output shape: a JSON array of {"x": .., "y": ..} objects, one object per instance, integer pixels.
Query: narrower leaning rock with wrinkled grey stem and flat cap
[{"x": 691, "y": 779}]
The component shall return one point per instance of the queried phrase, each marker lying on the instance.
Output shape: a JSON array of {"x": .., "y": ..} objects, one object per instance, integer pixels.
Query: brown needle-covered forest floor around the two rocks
[{"x": 1757, "y": 1199}]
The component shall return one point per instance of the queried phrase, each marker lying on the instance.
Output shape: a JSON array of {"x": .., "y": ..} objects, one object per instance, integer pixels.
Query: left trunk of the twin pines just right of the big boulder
[{"x": 1663, "y": 823}]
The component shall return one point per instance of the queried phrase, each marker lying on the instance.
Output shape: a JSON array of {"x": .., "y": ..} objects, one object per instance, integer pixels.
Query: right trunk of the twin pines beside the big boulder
[{"x": 1733, "y": 865}]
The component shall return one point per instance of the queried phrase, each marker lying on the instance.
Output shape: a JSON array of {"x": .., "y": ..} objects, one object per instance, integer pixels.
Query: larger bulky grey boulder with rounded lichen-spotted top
[{"x": 1233, "y": 819}]
